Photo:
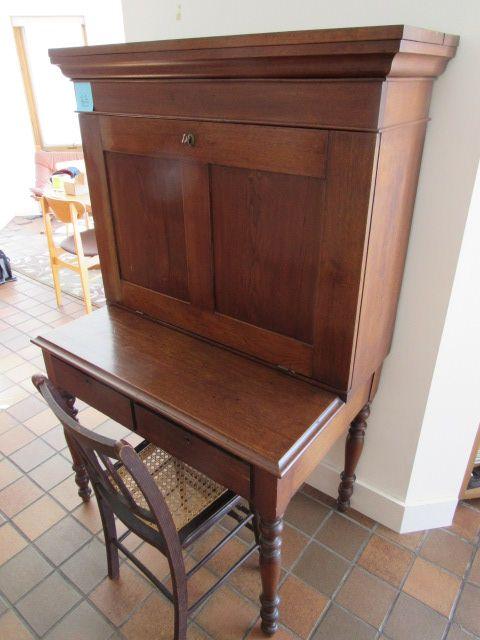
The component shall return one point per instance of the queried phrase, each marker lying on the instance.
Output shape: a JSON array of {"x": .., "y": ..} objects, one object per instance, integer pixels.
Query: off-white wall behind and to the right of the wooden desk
[{"x": 388, "y": 489}]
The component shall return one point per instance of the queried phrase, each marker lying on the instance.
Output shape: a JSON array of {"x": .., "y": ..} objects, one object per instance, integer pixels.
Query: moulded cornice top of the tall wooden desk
[{"x": 373, "y": 52}]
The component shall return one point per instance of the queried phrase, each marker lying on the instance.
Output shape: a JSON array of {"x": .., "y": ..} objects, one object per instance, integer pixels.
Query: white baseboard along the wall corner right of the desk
[{"x": 389, "y": 511}]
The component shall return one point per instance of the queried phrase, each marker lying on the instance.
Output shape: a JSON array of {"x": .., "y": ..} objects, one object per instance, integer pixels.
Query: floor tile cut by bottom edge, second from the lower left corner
[{"x": 82, "y": 623}]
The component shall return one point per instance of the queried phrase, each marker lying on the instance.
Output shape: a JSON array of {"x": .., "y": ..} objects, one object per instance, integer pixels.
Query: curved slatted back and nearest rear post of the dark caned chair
[{"x": 95, "y": 450}]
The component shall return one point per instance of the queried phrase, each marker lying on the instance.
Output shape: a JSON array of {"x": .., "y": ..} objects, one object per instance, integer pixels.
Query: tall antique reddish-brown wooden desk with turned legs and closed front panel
[{"x": 252, "y": 198}]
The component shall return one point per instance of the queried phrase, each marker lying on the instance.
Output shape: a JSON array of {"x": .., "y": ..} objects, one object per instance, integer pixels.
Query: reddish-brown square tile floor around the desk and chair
[{"x": 344, "y": 578}]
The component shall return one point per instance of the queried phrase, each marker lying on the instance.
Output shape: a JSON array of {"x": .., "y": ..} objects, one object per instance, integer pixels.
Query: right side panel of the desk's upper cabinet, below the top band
[{"x": 396, "y": 185}]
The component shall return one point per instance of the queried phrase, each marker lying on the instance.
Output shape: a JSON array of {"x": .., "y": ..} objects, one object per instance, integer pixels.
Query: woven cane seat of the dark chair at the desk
[{"x": 187, "y": 492}]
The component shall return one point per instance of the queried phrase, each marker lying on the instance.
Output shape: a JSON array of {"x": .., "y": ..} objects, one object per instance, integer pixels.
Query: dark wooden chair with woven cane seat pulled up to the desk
[{"x": 158, "y": 497}]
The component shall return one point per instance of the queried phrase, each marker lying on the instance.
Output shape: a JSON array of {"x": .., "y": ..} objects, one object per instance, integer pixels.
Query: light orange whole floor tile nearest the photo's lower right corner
[{"x": 433, "y": 586}]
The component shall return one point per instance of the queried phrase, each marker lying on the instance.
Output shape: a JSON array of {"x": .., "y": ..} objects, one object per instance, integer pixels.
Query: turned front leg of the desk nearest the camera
[{"x": 270, "y": 565}]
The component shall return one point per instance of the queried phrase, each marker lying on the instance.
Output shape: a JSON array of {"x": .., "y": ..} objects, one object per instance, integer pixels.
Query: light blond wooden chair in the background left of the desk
[{"x": 82, "y": 244}]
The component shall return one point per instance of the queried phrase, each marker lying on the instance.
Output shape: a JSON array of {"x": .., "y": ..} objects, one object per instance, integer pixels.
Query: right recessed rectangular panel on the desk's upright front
[{"x": 266, "y": 235}]
